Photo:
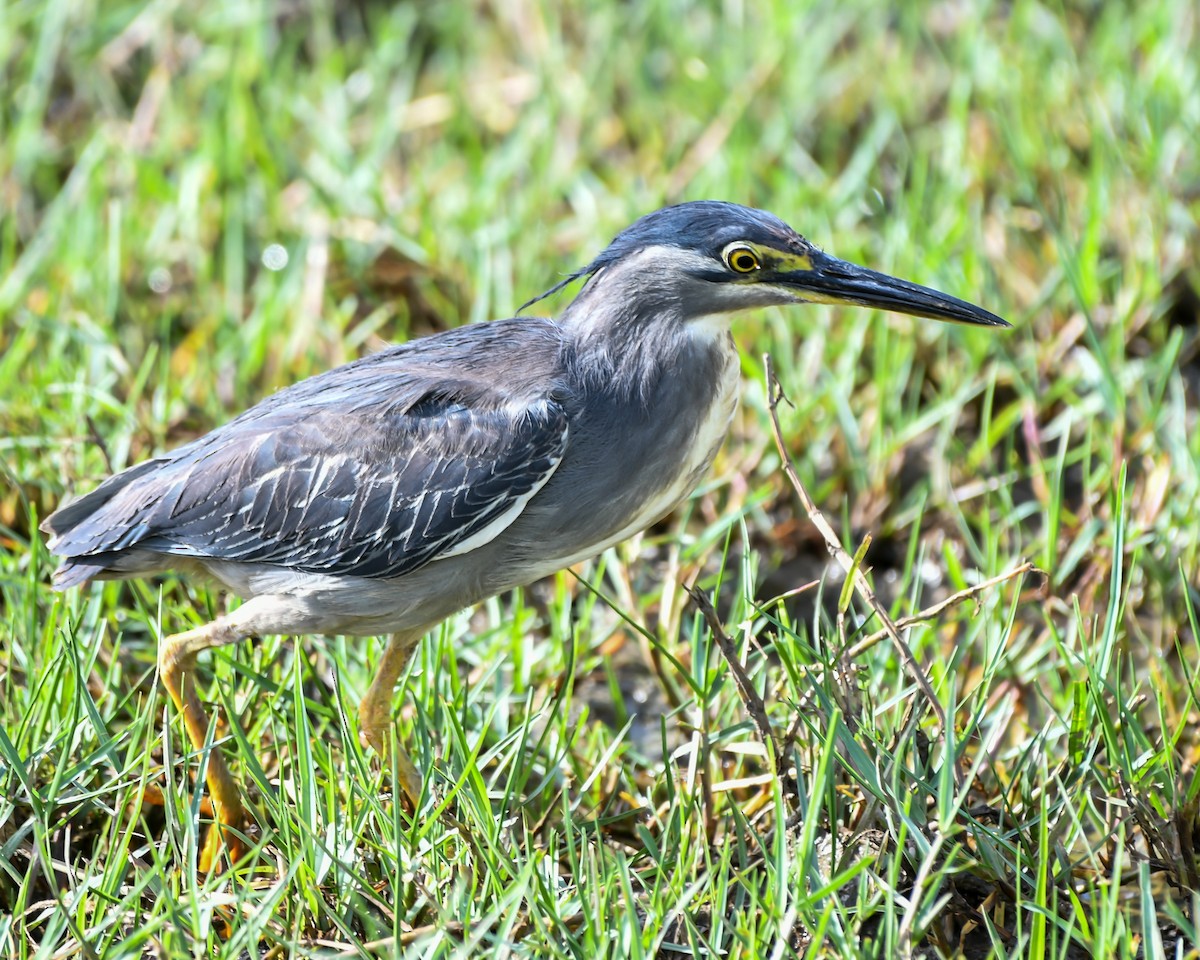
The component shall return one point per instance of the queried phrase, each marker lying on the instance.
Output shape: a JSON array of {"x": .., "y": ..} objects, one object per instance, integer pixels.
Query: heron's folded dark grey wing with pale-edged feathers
[{"x": 371, "y": 490}]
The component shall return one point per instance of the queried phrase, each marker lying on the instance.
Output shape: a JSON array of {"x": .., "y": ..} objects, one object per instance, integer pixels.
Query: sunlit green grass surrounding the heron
[{"x": 423, "y": 166}]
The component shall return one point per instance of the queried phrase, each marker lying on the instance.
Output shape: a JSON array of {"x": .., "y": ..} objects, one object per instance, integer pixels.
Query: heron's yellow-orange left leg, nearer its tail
[{"x": 177, "y": 668}]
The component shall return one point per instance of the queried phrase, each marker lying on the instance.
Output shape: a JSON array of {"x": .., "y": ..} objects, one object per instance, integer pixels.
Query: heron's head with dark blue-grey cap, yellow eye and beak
[{"x": 709, "y": 259}]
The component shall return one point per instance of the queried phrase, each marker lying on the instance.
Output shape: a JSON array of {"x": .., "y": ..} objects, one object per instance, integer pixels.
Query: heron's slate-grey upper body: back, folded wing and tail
[{"x": 369, "y": 471}]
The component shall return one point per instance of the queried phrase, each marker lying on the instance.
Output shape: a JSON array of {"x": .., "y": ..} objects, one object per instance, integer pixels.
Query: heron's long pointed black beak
[{"x": 833, "y": 281}]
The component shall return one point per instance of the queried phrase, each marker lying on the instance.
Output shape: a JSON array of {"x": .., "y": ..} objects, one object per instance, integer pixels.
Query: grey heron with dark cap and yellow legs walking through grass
[{"x": 386, "y": 495}]
